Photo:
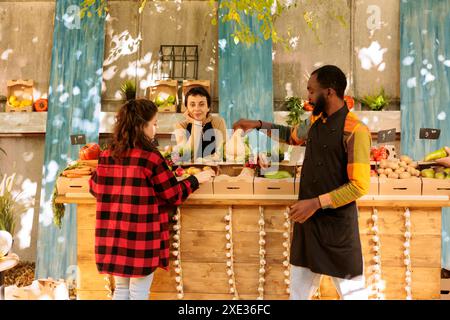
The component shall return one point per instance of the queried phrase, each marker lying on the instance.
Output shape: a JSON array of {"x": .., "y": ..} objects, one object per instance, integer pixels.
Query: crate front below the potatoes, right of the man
[{"x": 400, "y": 187}]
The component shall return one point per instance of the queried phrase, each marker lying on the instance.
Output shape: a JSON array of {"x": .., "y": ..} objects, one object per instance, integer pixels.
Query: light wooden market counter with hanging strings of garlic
[{"x": 201, "y": 271}]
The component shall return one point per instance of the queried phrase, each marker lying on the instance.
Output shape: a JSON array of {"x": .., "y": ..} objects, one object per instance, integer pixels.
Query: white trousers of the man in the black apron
[{"x": 304, "y": 284}]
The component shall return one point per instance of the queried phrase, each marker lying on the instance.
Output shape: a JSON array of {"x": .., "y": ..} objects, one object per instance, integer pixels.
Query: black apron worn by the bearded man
[{"x": 328, "y": 242}]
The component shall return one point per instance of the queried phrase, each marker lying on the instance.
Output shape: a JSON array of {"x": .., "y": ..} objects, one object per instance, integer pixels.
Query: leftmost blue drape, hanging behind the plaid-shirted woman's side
[{"x": 74, "y": 108}]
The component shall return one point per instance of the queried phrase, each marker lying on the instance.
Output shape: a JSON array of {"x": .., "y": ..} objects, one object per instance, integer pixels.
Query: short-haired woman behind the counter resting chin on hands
[{"x": 200, "y": 132}]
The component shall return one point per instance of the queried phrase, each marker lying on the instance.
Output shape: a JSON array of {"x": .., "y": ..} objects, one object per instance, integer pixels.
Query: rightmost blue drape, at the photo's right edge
[{"x": 425, "y": 83}]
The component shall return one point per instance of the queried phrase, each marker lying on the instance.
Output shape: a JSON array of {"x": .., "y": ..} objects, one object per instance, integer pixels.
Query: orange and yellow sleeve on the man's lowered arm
[{"x": 357, "y": 140}]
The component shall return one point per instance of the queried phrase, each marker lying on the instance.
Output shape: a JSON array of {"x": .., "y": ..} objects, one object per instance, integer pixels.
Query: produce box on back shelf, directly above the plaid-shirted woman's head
[{"x": 165, "y": 95}]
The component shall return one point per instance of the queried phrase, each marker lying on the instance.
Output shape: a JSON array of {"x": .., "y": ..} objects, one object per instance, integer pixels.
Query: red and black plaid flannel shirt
[{"x": 132, "y": 226}]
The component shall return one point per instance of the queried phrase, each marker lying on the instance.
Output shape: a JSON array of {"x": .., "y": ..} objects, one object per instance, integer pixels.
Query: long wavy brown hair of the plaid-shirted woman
[{"x": 128, "y": 131}]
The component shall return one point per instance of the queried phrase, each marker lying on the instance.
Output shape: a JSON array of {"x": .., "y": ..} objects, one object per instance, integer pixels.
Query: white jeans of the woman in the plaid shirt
[{"x": 132, "y": 288}]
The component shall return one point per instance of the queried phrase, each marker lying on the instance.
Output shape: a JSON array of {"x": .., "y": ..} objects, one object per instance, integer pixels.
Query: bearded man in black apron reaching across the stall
[{"x": 335, "y": 172}]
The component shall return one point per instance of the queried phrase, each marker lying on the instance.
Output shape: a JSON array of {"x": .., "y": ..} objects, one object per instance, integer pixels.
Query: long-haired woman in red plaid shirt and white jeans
[{"x": 132, "y": 185}]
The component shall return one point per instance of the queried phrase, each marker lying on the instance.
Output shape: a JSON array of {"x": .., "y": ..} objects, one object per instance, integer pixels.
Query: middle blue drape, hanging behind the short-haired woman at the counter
[{"x": 245, "y": 77}]
